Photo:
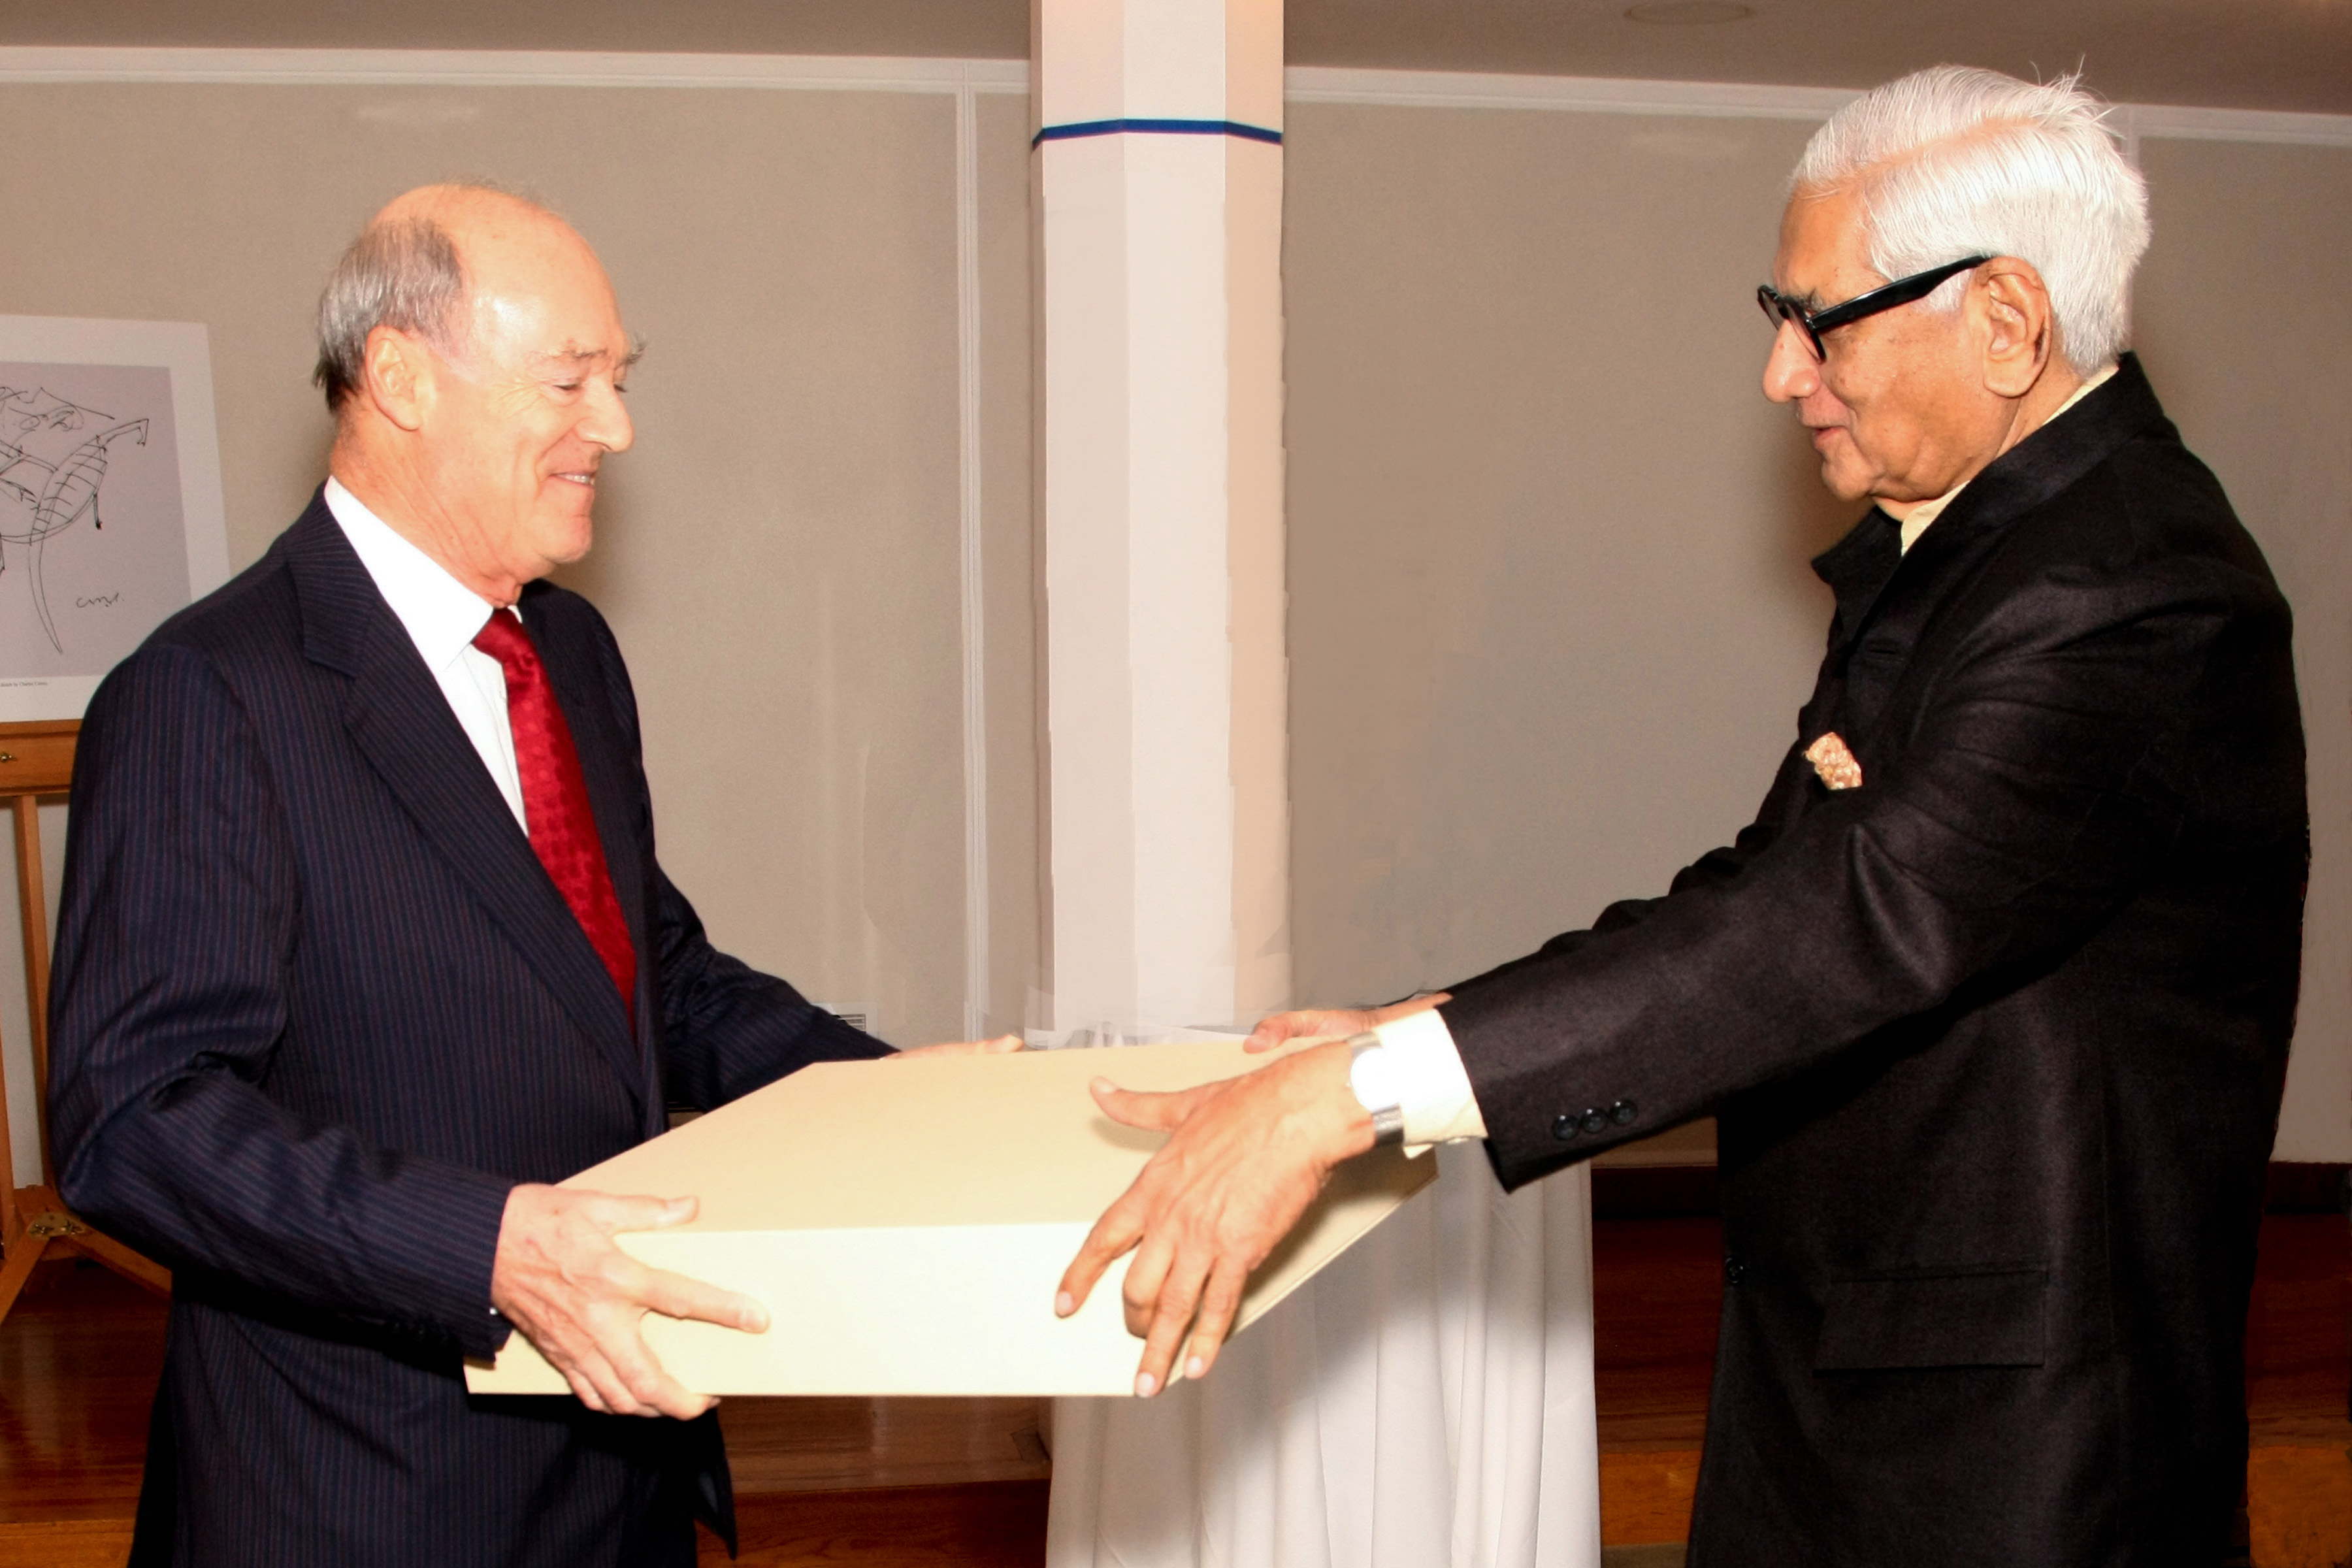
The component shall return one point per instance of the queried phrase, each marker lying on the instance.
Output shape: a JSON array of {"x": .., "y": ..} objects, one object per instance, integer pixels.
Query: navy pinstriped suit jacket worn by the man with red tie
[{"x": 316, "y": 1012}]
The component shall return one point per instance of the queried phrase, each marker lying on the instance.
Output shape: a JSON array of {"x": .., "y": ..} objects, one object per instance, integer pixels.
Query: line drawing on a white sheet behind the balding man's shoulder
[{"x": 109, "y": 500}]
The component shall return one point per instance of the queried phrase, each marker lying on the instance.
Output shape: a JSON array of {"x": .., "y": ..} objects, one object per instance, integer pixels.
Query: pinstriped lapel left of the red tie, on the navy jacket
[{"x": 401, "y": 723}]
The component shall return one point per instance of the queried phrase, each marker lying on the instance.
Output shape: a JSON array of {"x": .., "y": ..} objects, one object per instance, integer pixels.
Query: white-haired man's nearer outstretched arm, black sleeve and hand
[{"x": 2040, "y": 789}]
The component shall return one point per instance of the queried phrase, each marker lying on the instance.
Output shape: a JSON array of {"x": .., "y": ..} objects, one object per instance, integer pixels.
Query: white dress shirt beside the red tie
[{"x": 443, "y": 619}]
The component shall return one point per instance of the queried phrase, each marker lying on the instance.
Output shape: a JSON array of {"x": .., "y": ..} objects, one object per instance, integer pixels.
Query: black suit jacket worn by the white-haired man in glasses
[{"x": 1996, "y": 1038}]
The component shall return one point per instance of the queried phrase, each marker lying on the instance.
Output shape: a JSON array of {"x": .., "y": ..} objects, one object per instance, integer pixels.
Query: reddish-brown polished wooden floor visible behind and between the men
[{"x": 923, "y": 1482}]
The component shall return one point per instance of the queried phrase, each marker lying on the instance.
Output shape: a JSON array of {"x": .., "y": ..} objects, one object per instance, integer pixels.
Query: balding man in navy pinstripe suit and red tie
[{"x": 366, "y": 944}]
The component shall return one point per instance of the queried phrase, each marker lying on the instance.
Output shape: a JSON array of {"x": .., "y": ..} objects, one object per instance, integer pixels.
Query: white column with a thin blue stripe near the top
[{"x": 1158, "y": 182}]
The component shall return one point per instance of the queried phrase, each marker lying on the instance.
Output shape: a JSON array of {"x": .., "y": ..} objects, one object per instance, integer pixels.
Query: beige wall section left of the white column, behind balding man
[{"x": 780, "y": 556}]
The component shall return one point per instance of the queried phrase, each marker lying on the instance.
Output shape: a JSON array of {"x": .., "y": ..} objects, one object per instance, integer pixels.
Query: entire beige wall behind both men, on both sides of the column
[{"x": 1549, "y": 598}]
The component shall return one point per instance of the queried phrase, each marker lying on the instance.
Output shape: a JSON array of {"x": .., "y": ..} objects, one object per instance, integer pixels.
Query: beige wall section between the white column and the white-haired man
[{"x": 1551, "y": 612}]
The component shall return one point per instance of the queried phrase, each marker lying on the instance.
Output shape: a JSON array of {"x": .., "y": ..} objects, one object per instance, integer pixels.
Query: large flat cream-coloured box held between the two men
[{"x": 907, "y": 1226}]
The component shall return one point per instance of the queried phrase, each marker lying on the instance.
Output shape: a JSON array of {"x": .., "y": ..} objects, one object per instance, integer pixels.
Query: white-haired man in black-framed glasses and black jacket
[{"x": 1991, "y": 1000}]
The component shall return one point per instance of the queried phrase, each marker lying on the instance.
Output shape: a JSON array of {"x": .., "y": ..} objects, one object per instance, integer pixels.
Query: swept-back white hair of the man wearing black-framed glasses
[{"x": 1958, "y": 163}]
